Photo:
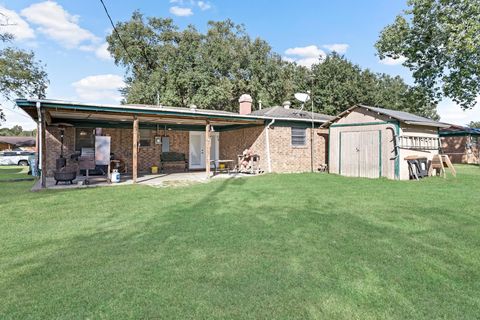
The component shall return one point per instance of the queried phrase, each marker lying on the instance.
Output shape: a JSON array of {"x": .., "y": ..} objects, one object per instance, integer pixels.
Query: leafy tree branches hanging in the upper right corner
[{"x": 441, "y": 44}]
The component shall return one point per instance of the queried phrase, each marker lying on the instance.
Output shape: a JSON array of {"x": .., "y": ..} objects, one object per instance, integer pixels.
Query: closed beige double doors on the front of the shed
[{"x": 360, "y": 154}]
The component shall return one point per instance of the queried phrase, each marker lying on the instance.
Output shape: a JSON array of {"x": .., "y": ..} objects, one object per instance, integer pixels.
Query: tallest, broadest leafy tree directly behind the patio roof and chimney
[{"x": 188, "y": 67}]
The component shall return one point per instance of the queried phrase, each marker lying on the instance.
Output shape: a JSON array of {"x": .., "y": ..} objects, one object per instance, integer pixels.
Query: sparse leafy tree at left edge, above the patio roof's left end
[{"x": 20, "y": 74}]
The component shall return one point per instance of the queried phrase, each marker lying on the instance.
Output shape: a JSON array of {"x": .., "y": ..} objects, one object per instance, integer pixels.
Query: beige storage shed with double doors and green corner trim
[{"x": 373, "y": 142}]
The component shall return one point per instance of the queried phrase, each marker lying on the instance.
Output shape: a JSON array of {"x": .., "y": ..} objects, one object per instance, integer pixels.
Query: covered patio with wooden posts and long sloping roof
[{"x": 138, "y": 135}]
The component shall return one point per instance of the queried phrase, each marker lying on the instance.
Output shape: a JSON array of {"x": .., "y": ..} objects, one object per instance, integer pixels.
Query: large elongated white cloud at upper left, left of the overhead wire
[{"x": 58, "y": 24}]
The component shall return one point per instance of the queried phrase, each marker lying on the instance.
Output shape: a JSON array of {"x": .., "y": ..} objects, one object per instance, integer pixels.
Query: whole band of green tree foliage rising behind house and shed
[{"x": 214, "y": 68}]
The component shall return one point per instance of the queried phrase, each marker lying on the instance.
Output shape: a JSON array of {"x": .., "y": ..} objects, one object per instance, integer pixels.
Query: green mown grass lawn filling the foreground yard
[{"x": 272, "y": 247}]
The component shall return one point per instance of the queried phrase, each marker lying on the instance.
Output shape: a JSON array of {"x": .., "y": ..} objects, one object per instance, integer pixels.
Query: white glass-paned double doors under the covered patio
[{"x": 197, "y": 149}]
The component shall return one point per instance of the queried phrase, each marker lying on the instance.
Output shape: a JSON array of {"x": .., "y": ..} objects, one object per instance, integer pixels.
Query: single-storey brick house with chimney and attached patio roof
[{"x": 287, "y": 140}]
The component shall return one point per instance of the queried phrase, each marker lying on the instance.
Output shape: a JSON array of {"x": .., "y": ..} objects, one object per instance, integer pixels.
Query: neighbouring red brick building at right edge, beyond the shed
[{"x": 461, "y": 144}]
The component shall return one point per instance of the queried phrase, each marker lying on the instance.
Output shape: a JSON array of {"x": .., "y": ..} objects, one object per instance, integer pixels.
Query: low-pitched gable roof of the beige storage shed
[{"x": 401, "y": 116}]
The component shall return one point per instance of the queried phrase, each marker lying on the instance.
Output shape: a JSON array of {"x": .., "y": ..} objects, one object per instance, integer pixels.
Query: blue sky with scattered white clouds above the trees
[{"x": 69, "y": 37}]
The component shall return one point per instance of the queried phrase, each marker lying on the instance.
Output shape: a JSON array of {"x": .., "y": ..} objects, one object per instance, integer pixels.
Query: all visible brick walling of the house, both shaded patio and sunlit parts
[{"x": 284, "y": 157}]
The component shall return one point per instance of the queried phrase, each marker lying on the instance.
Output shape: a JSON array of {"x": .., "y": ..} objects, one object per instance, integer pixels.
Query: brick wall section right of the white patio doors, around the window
[{"x": 284, "y": 157}]
